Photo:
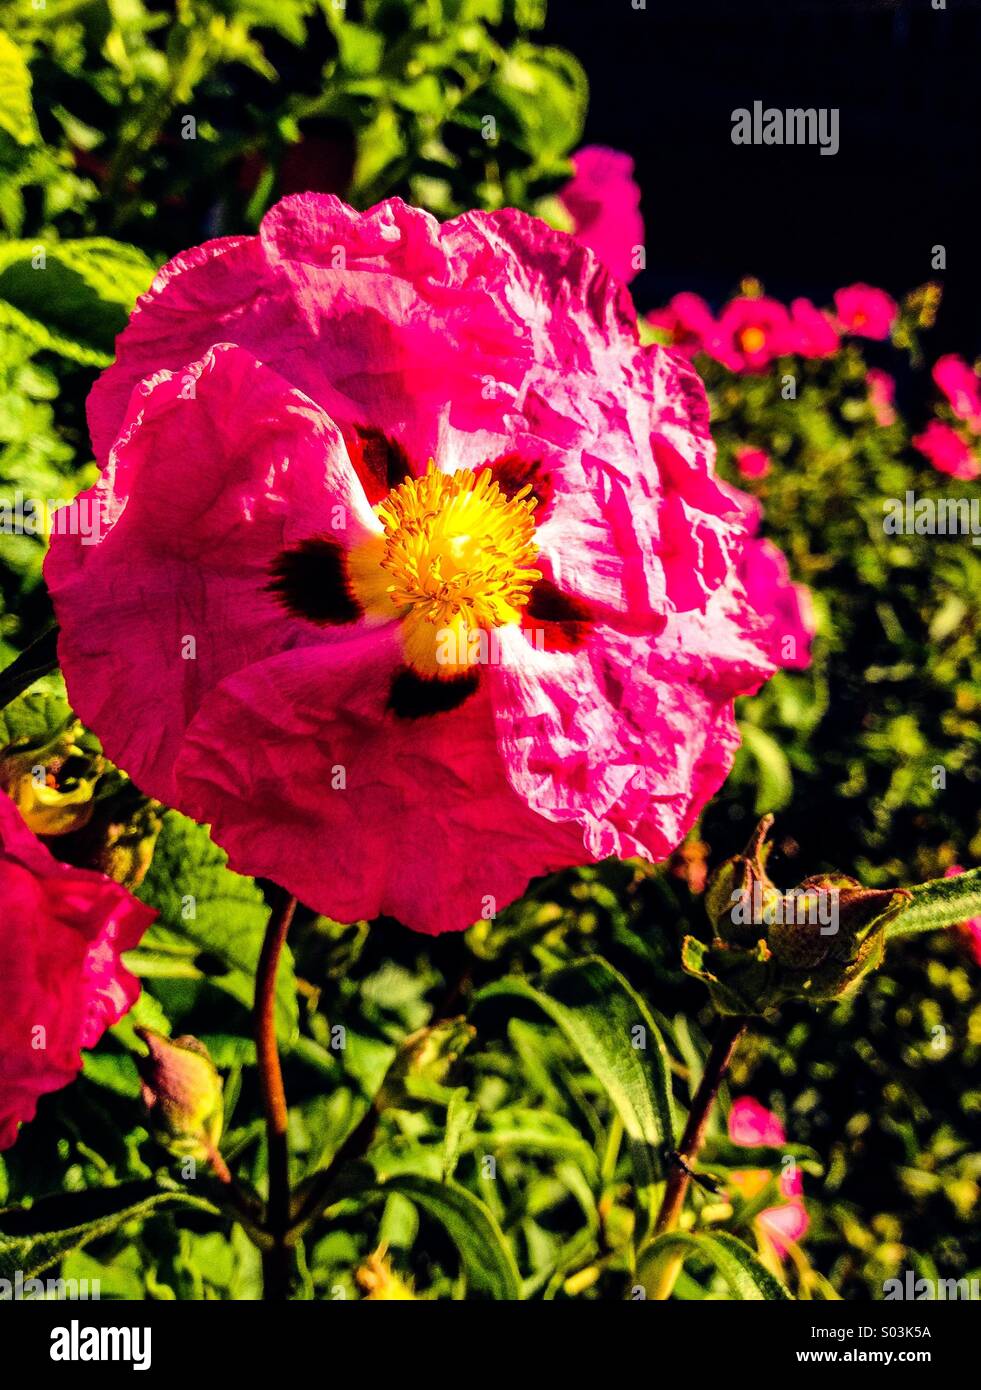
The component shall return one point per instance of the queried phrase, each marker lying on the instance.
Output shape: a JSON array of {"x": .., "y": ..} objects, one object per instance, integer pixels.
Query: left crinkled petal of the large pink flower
[{"x": 204, "y": 491}]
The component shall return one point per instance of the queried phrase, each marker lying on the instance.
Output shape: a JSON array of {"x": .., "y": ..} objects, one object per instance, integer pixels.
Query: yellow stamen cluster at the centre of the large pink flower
[{"x": 455, "y": 561}]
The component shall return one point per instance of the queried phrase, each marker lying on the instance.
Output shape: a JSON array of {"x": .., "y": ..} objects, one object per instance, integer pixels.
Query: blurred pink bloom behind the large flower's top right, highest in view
[{"x": 605, "y": 205}]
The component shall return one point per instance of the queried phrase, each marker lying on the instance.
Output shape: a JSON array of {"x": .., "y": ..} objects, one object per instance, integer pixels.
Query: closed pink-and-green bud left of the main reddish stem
[{"x": 183, "y": 1093}]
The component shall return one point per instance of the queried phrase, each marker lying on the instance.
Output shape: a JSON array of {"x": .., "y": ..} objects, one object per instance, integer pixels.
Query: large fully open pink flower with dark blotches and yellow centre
[{"x": 415, "y": 579}]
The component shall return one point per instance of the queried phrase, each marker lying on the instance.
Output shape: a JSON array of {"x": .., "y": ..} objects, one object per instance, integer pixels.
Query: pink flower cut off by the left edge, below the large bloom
[{"x": 63, "y": 932}]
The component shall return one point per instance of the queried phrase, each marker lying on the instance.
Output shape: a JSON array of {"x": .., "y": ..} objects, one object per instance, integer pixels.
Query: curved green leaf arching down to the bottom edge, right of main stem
[{"x": 484, "y": 1253}]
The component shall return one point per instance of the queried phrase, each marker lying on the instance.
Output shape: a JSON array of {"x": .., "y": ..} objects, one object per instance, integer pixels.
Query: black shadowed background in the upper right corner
[{"x": 908, "y": 84}]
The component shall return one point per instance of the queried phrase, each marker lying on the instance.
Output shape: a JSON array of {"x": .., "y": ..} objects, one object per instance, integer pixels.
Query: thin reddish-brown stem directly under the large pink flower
[{"x": 277, "y": 1261}]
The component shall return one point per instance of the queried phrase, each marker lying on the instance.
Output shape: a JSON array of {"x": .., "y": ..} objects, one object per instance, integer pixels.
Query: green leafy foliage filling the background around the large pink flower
[{"x": 502, "y": 1150}]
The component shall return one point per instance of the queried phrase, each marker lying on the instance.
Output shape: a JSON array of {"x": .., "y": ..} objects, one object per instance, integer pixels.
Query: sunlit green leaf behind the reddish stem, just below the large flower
[{"x": 212, "y": 921}]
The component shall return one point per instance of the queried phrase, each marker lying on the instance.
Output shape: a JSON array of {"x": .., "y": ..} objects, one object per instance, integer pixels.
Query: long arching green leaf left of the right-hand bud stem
[{"x": 600, "y": 1014}]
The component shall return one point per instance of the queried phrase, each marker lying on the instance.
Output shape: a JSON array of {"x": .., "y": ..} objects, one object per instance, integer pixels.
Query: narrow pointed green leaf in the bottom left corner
[{"x": 34, "y": 1239}]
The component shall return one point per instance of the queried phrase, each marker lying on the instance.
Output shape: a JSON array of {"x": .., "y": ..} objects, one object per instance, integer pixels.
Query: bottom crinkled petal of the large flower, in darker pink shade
[{"x": 365, "y": 814}]
